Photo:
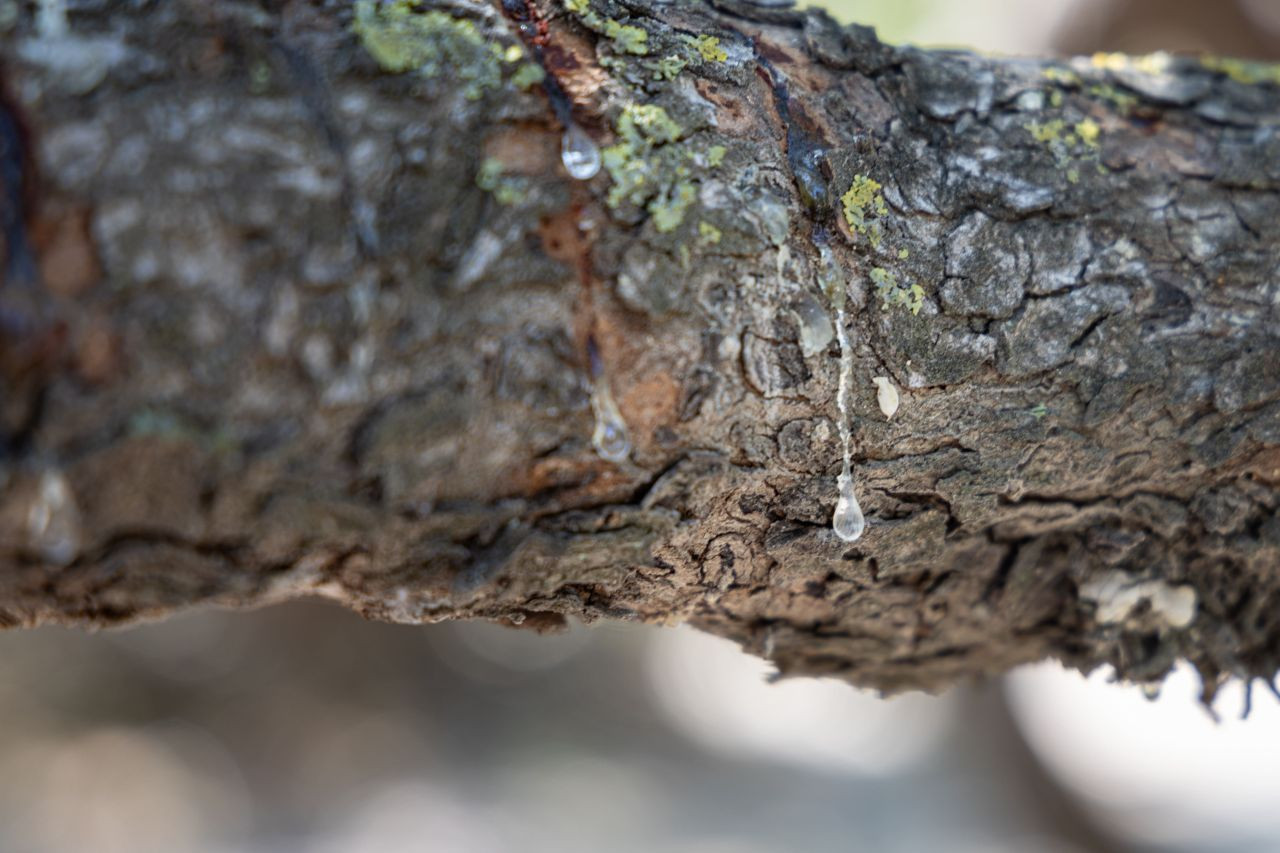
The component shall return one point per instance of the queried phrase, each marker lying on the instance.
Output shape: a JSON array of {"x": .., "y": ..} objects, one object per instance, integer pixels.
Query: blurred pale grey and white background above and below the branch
[{"x": 305, "y": 728}]
